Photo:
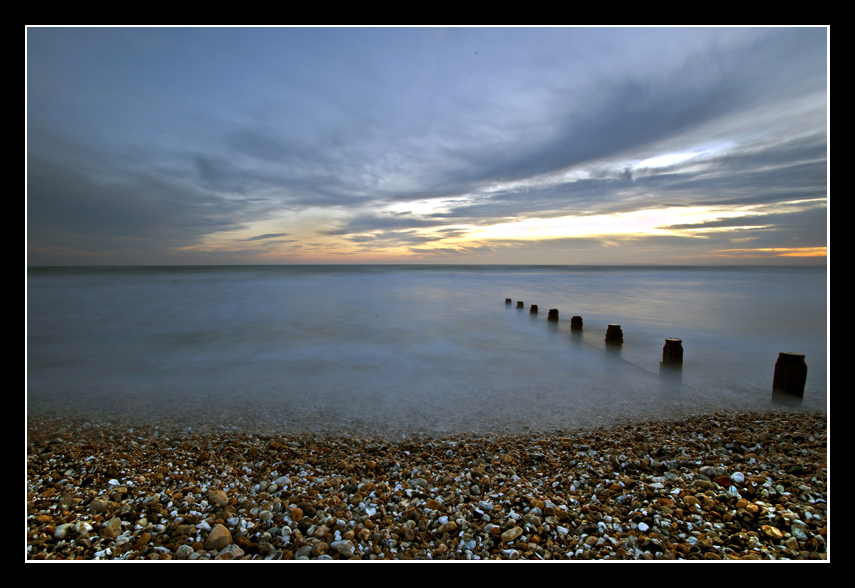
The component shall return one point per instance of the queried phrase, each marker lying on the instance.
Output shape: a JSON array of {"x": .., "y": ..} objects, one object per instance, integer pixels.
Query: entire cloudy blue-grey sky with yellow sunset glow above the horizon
[{"x": 193, "y": 146}]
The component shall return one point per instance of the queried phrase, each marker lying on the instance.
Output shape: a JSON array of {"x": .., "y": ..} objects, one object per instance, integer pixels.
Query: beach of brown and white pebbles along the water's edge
[{"x": 719, "y": 486}]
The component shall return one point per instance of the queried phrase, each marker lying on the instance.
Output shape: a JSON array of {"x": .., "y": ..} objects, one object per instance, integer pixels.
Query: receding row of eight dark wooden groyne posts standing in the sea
[{"x": 788, "y": 384}]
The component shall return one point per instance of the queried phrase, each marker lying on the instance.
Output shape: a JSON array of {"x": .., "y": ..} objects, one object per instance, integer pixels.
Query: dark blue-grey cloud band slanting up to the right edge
[{"x": 636, "y": 109}]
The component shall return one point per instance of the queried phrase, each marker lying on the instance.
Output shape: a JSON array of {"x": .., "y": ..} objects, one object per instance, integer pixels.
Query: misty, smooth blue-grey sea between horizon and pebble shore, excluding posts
[{"x": 413, "y": 349}]
